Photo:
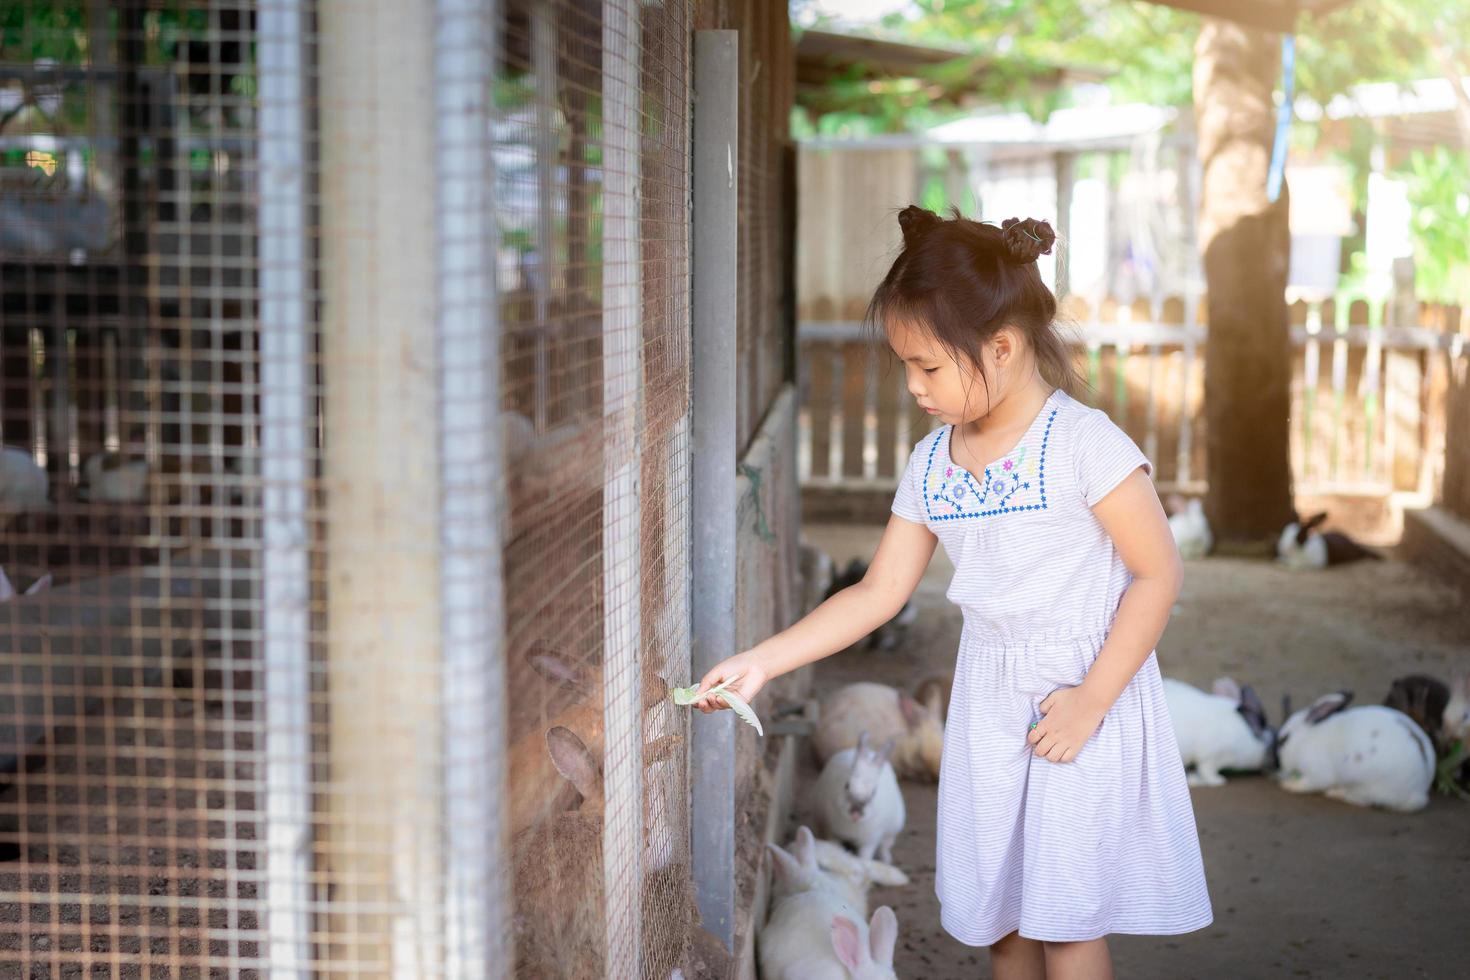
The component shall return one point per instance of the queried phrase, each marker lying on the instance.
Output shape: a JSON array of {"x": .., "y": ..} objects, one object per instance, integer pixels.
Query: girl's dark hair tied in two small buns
[{"x": 962, "y": 281}]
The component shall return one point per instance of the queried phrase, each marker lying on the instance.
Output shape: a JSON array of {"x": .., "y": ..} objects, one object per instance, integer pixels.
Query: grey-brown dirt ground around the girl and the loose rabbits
[{"x": 1302, "y": 887}]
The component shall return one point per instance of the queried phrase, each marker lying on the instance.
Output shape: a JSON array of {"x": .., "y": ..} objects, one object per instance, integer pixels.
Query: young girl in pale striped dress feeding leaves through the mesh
[{"x": 1064, "y": 809}]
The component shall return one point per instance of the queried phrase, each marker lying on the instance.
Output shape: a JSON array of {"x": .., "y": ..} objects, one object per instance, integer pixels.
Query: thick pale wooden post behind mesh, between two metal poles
[{"x": 380, "y": 850}]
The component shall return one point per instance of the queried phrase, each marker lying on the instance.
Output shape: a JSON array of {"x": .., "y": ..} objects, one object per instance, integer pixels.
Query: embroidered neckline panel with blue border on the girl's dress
[{"x": 1011, "y": 484}]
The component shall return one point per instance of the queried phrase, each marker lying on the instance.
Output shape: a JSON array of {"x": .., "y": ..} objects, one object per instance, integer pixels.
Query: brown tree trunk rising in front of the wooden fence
[{"x": 1247, "y": 246}]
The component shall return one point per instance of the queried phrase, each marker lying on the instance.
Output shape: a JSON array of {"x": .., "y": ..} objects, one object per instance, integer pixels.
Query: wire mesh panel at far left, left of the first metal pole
[{"x": 130, "y": 690}]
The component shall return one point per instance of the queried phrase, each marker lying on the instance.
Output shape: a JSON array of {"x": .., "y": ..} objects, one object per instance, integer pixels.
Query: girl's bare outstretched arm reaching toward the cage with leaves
[{"x": 903, "y": 555}]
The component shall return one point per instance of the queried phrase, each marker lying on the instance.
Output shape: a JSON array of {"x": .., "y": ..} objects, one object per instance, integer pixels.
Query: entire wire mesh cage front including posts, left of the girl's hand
[{"x": 232, "y": 728}]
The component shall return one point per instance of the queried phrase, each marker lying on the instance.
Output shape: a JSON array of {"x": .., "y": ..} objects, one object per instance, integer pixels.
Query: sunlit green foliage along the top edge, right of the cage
[{"x": 1143, "y": 51}]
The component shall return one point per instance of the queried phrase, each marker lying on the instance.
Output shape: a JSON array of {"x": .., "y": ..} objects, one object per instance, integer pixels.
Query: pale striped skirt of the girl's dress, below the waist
[{"x": 1061, "y": 851}]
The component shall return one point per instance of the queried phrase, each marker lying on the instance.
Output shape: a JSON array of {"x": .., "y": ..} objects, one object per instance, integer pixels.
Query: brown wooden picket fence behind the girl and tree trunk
[{"x": 1369, "y": 402}]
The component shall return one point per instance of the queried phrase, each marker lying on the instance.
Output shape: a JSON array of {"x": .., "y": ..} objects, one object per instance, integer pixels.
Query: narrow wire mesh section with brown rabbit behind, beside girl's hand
[{"x": 595, "y": 187}]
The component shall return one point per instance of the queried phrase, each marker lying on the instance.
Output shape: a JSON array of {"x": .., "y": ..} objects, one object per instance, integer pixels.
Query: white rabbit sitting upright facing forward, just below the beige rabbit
[{"x": 859, "y": 800}]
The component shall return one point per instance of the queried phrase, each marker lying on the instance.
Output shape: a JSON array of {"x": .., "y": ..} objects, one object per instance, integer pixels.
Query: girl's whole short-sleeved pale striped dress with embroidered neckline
[{"x": 1061, "y": 851}]
